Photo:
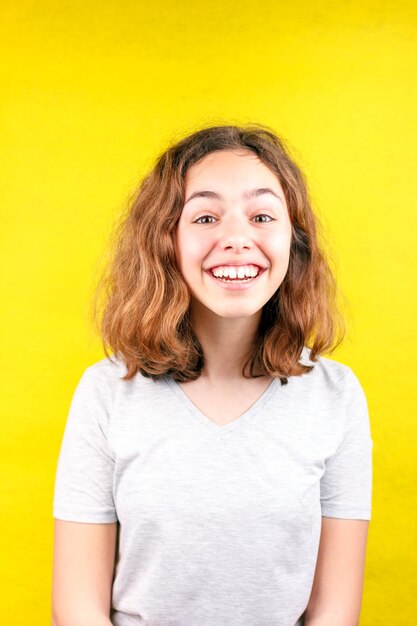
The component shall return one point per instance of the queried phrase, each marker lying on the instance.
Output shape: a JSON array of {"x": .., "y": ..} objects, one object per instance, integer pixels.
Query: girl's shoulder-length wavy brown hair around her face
[{"x": 141, "y": 304}]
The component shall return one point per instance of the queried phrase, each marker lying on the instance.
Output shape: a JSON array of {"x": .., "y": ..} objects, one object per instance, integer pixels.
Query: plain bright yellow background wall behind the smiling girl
[{"x": 91, "y": 93}]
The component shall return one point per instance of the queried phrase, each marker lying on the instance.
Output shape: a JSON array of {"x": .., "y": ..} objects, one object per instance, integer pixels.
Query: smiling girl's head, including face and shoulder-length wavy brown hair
[{"x": 162, "y": 249}]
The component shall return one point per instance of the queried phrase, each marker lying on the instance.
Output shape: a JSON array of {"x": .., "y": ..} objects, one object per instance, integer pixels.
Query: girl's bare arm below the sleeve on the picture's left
[{"x": 83, "y": 565}]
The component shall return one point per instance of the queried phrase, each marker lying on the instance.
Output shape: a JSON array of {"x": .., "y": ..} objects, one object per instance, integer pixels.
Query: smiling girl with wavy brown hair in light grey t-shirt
[{"x": 216, "y": 469}]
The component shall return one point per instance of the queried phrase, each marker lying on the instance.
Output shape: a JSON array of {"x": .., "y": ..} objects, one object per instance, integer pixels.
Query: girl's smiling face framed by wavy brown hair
[{"x": 234, "y": 220}]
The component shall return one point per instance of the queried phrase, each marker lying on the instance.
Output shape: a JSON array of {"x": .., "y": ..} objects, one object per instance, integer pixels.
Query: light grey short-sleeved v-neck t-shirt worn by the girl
[{"x": 217, "y": 525}]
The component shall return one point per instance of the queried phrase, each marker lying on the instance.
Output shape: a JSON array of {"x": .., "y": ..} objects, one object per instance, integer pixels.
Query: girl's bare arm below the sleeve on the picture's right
[{"x": 336, "y": 596}]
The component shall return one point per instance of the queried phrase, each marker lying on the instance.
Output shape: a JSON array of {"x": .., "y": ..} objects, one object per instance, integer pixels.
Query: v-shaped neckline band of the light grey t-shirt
[{"x": 206, "y": 421}]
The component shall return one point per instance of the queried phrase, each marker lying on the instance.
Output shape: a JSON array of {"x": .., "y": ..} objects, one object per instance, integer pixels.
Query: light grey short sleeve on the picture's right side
[{"x": 346, "y": 485}]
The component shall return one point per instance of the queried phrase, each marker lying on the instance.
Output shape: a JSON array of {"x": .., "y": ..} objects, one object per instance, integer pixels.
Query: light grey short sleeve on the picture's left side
[{"x": 84, "y": 476}]
